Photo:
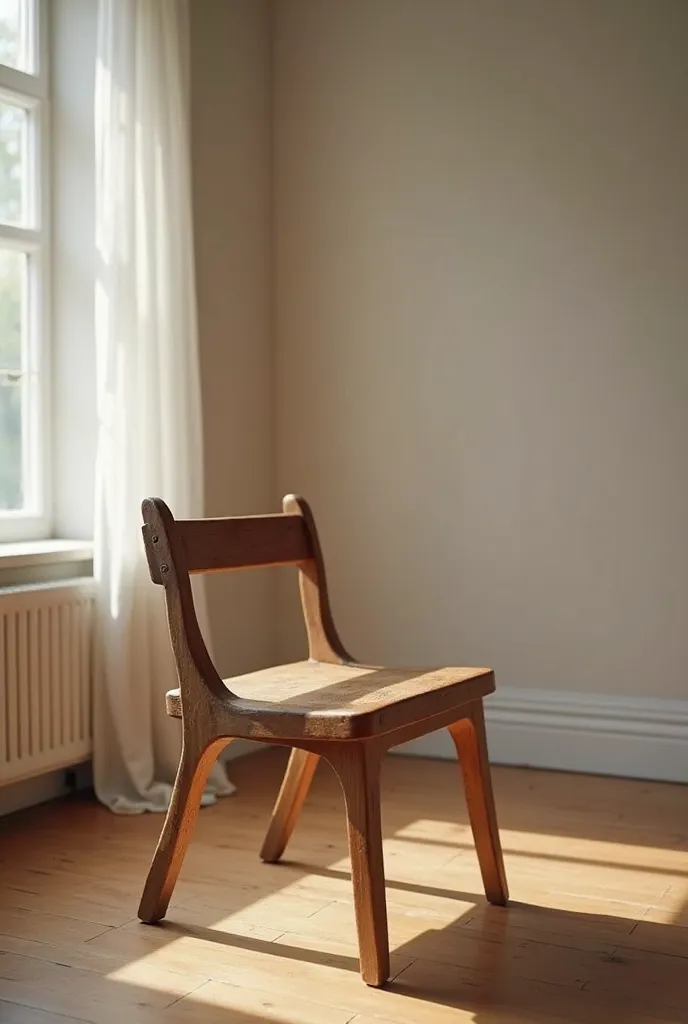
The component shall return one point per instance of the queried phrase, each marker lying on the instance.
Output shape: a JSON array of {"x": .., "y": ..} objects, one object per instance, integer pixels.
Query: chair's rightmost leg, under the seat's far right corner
[{"x": 469, "y": 737}]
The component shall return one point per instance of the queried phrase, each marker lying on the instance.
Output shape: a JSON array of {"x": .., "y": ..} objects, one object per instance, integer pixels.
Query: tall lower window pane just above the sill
[{"x": 14, "y": 377}]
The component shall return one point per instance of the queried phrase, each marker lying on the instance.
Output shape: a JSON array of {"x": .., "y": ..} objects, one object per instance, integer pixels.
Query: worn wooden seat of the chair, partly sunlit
[{"x": 342, "y": 702}]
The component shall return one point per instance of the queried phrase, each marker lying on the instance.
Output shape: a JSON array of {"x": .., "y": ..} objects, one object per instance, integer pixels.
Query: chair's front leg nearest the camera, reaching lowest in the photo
[{"x": 358, "y": 766}]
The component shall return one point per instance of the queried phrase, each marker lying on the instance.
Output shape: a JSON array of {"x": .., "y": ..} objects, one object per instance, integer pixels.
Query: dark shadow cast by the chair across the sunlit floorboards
[{"x": 521, "y": 963}]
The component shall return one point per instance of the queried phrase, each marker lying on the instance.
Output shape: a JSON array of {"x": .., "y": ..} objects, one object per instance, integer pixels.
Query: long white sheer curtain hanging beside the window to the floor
[{"x": 150, "y": 439}]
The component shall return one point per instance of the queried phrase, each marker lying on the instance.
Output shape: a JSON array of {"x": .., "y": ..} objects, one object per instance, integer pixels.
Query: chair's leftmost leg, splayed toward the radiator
[{"x": 194, "y": 771}]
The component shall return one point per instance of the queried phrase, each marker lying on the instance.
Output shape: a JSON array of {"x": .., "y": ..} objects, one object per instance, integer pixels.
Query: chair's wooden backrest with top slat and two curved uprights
[{"x": 178, "y": 548}]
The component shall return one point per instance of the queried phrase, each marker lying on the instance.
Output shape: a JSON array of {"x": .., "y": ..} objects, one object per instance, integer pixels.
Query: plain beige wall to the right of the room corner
[{"x": 482, "y": 310}]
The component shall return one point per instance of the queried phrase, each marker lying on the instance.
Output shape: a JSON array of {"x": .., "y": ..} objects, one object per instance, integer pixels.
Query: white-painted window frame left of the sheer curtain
[{"x": 31, "y": 91}]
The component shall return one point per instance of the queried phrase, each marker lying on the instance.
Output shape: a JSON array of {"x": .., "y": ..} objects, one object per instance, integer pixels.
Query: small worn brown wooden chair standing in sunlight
[{"x": 329, "y": 707}]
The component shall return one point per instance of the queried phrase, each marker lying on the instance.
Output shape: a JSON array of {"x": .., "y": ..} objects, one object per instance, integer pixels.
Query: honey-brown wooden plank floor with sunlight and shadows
[{"x": 597, "y": 930}]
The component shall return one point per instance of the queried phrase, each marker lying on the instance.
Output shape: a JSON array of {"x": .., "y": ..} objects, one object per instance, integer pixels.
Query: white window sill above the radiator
[{"x": 42, "y": 562}]
